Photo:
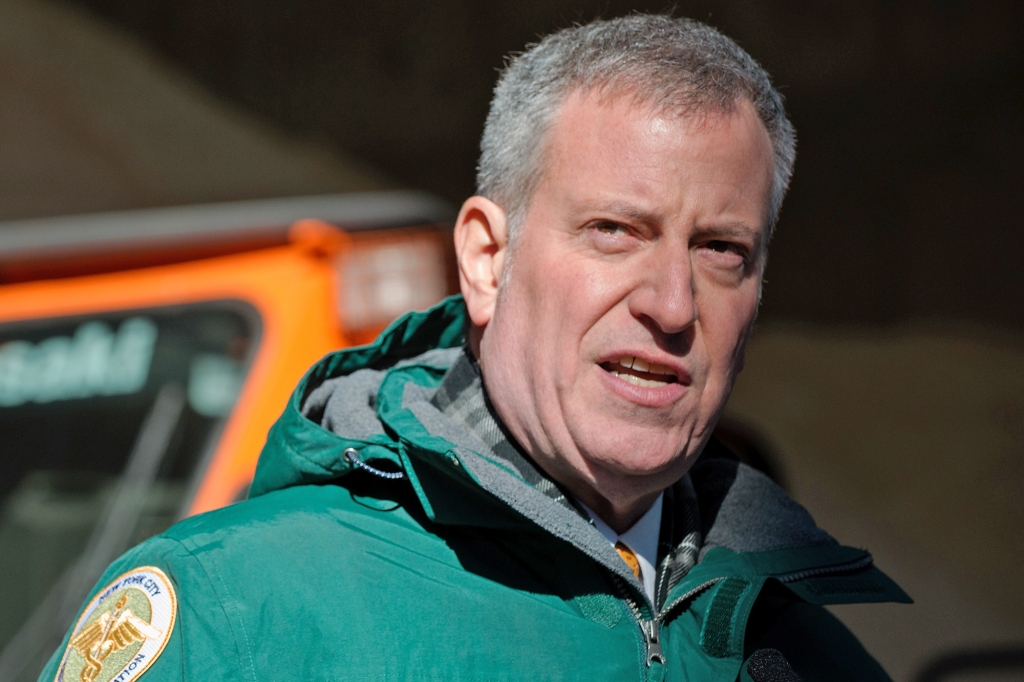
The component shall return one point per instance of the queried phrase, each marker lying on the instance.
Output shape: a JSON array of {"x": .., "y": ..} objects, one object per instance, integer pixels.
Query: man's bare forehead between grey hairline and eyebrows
[{"x": 619, "y": 149}]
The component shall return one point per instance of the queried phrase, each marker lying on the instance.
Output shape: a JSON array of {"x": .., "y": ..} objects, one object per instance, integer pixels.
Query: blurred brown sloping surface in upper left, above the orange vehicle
[{"x": 92, "y": 119}]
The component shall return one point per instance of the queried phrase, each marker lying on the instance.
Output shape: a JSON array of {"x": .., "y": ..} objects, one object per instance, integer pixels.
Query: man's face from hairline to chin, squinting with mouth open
[{"x": 634, "y": 284}]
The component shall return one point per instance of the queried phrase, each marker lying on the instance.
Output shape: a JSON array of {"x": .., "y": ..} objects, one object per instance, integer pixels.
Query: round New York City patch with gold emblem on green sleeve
[{"x": 123, "y": 630}]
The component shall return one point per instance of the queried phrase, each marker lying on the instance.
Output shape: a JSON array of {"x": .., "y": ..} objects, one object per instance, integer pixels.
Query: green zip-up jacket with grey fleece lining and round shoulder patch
[{"x": 459, "y": 570}]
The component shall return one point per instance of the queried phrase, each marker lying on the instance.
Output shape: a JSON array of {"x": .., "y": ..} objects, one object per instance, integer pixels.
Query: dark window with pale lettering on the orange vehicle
[{"x": 106, "y": 424}]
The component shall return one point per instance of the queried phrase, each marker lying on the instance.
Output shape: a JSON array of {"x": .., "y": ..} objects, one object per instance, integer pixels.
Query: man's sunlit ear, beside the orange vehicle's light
[{"x": 481, "y": 246}]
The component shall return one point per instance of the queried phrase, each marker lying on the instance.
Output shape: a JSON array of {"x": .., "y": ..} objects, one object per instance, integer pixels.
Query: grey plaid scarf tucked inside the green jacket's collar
[{"x": 462, "y": 398}]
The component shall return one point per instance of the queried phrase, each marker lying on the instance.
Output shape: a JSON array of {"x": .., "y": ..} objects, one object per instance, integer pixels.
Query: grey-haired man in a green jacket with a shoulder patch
[{"x": 523, "y": 484}]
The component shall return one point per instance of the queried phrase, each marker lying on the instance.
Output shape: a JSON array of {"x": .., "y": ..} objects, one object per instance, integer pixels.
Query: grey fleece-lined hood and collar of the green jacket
[{"x": 376, "y": 400}]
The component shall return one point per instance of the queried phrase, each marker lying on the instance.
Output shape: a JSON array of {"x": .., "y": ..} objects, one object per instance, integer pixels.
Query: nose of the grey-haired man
[{"x": 665, "y": 295}]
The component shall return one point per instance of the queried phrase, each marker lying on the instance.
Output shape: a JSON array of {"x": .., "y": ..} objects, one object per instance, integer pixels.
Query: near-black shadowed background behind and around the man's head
[{"x": 909, "y": 194}]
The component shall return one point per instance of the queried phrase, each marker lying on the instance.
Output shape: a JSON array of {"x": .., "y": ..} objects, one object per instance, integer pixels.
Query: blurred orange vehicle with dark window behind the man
[{"x": 145, "y": 355}]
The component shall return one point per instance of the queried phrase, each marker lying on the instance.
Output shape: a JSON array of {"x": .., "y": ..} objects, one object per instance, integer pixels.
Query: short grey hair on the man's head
[{"x": 673, "y": 64}]
